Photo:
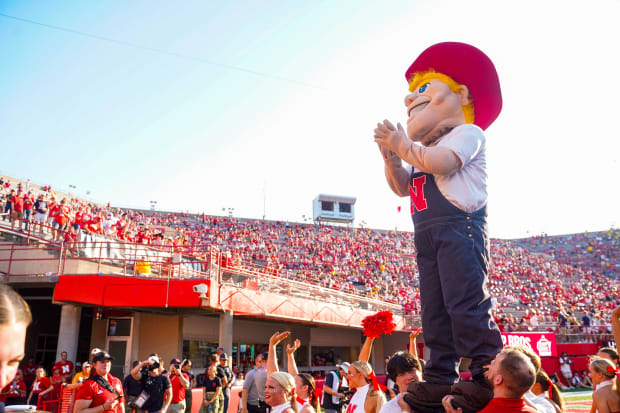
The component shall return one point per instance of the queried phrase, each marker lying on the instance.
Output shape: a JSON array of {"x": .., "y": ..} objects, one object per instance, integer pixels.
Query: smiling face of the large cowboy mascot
[{"x": 433, "y": 109}]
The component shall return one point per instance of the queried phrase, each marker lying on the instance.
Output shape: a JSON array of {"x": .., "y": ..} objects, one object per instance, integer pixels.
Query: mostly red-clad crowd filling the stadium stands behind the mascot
[{"x": 562, "y": 283}]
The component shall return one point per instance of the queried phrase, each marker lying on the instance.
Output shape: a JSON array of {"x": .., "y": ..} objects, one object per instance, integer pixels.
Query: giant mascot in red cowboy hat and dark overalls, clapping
[{"x": 455, "y": 95}]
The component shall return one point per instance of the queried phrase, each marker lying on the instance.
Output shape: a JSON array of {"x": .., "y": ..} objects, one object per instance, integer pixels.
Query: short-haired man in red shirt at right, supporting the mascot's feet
[{"x": 511, "y": 374}]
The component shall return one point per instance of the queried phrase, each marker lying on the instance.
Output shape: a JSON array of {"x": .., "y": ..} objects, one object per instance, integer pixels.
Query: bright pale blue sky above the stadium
[{"x": 260, "y": 106}]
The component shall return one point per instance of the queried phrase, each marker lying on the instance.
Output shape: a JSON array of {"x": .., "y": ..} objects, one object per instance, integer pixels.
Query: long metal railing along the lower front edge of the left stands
[{"x": 38, "y": 255}]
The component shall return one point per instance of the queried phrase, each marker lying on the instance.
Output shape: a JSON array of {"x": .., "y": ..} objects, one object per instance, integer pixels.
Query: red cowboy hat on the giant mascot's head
[{"x": 468, "y": 66}]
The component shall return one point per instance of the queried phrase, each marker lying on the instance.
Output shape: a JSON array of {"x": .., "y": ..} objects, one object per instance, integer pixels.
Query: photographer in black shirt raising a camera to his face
[{"x": 154, "y": 386}]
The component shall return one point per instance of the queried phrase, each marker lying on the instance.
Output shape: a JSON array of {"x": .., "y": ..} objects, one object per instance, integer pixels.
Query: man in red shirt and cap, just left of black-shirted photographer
[{"x": 102, "y": 392}]
